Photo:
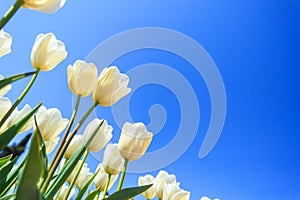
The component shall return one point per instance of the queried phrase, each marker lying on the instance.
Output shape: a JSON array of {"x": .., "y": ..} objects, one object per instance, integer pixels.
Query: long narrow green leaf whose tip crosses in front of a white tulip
[{"x": 68, "y": 168}]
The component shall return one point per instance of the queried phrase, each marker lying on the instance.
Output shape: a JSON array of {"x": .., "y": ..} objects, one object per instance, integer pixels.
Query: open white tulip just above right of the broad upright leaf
[{"x": 50, "y": 123}]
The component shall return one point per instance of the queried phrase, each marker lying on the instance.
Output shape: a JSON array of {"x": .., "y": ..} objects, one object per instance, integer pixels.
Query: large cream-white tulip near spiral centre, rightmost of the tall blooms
[{"x": 134, "y": 141}]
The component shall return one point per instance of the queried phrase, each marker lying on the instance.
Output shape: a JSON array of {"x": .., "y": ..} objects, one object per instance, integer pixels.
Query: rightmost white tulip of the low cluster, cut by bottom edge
[{"x": 173, "y": 192}]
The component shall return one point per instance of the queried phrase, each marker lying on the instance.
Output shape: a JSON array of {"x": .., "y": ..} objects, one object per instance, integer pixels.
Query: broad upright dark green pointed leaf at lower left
[{"x": 32, "y": 171}]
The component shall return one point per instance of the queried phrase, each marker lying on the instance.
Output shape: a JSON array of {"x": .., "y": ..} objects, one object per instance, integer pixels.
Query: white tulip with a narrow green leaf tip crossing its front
[{"x": 101, "y": 138}]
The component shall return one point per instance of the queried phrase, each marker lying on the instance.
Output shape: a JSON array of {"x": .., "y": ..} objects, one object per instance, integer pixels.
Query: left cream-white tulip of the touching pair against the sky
[{"x": 82, "y": 78}]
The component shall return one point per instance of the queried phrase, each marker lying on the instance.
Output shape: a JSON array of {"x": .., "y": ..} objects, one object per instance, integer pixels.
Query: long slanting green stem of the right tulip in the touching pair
[{"x": 64, "y": 148}]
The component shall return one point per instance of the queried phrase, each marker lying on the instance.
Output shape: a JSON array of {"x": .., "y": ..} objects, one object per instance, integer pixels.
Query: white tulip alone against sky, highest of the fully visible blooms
[{"x": 47, "y": 52}]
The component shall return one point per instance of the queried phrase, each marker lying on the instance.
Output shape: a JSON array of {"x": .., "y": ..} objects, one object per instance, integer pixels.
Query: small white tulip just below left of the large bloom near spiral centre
[{"x": 112, "y": 160}]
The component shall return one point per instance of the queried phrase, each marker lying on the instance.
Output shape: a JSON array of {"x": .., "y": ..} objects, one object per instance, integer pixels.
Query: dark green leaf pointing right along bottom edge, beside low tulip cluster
[{"x": 128, "y": 193}]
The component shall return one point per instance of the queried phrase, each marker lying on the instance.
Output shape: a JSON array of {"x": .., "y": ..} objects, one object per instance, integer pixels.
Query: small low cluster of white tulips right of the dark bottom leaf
[{"x": 164, "y": 187}]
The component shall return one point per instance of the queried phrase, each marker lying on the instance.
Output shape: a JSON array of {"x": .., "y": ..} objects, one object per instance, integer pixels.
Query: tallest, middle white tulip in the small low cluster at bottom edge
[{"x": 161, "y": 179}]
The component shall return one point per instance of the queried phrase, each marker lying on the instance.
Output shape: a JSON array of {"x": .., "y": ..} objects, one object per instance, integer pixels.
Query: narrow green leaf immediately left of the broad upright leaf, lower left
[{"x": 11, "y": 179}]
